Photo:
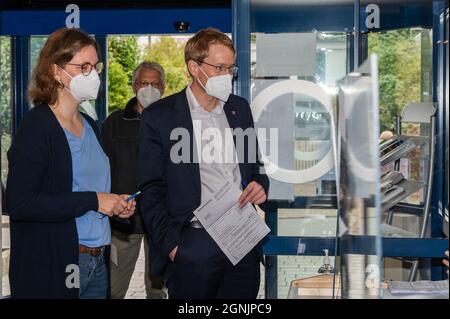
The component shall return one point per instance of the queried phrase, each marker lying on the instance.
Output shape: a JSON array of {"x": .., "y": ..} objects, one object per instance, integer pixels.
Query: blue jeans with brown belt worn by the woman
[{"x": 93, "y": 277}]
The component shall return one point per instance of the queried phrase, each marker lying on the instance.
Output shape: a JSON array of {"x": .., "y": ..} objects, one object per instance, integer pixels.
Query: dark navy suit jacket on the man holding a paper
[{"x": 172, "y": 191}]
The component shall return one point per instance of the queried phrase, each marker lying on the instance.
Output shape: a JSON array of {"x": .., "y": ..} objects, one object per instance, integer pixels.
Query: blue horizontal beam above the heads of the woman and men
[{"x": 114, "y": 21}]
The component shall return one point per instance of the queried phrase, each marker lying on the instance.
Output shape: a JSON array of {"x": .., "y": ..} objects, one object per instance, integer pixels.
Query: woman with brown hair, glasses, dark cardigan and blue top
[{"x": 59, "y": 180}]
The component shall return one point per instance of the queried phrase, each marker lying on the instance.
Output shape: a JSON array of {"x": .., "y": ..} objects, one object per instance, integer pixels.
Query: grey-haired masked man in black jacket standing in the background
[{"x": 120, "y": 135}]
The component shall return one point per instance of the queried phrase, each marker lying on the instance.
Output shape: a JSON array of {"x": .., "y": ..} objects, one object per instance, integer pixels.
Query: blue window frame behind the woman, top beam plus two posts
[{"x": 101, "y": 23}]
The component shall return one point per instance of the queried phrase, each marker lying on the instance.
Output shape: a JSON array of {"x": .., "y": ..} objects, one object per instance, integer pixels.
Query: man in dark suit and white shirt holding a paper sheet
[{"x": 176, "y": 135}]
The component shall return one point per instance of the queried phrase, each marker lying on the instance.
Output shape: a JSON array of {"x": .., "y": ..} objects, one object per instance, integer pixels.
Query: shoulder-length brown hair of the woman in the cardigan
[{"x": 59, "y": 49}]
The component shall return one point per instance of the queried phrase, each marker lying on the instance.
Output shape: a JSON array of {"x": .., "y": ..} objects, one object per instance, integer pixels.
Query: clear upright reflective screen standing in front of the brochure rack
[{"x": 359, "y": 194}]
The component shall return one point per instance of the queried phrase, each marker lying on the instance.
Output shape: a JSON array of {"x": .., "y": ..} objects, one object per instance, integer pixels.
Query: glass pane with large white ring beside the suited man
[{"x": 296, "y": 59}]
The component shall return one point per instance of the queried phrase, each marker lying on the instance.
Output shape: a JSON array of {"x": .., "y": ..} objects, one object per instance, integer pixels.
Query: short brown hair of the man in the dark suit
[{"x": 198, "y": 46}]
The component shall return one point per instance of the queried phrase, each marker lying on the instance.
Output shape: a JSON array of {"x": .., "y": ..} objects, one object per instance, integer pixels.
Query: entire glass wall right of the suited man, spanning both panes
[{"x": 298, "y": 44}]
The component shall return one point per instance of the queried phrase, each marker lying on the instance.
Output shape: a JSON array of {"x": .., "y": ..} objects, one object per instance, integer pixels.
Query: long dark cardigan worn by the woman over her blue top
[{"x": 43, "y": 208}]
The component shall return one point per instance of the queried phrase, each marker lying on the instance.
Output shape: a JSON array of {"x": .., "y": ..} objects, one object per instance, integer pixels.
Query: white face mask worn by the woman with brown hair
[{"x": 84, "y": 87}]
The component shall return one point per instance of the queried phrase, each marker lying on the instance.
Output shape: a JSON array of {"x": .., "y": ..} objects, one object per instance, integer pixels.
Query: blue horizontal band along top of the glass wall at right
[{"x": 274, "y": 18}]
